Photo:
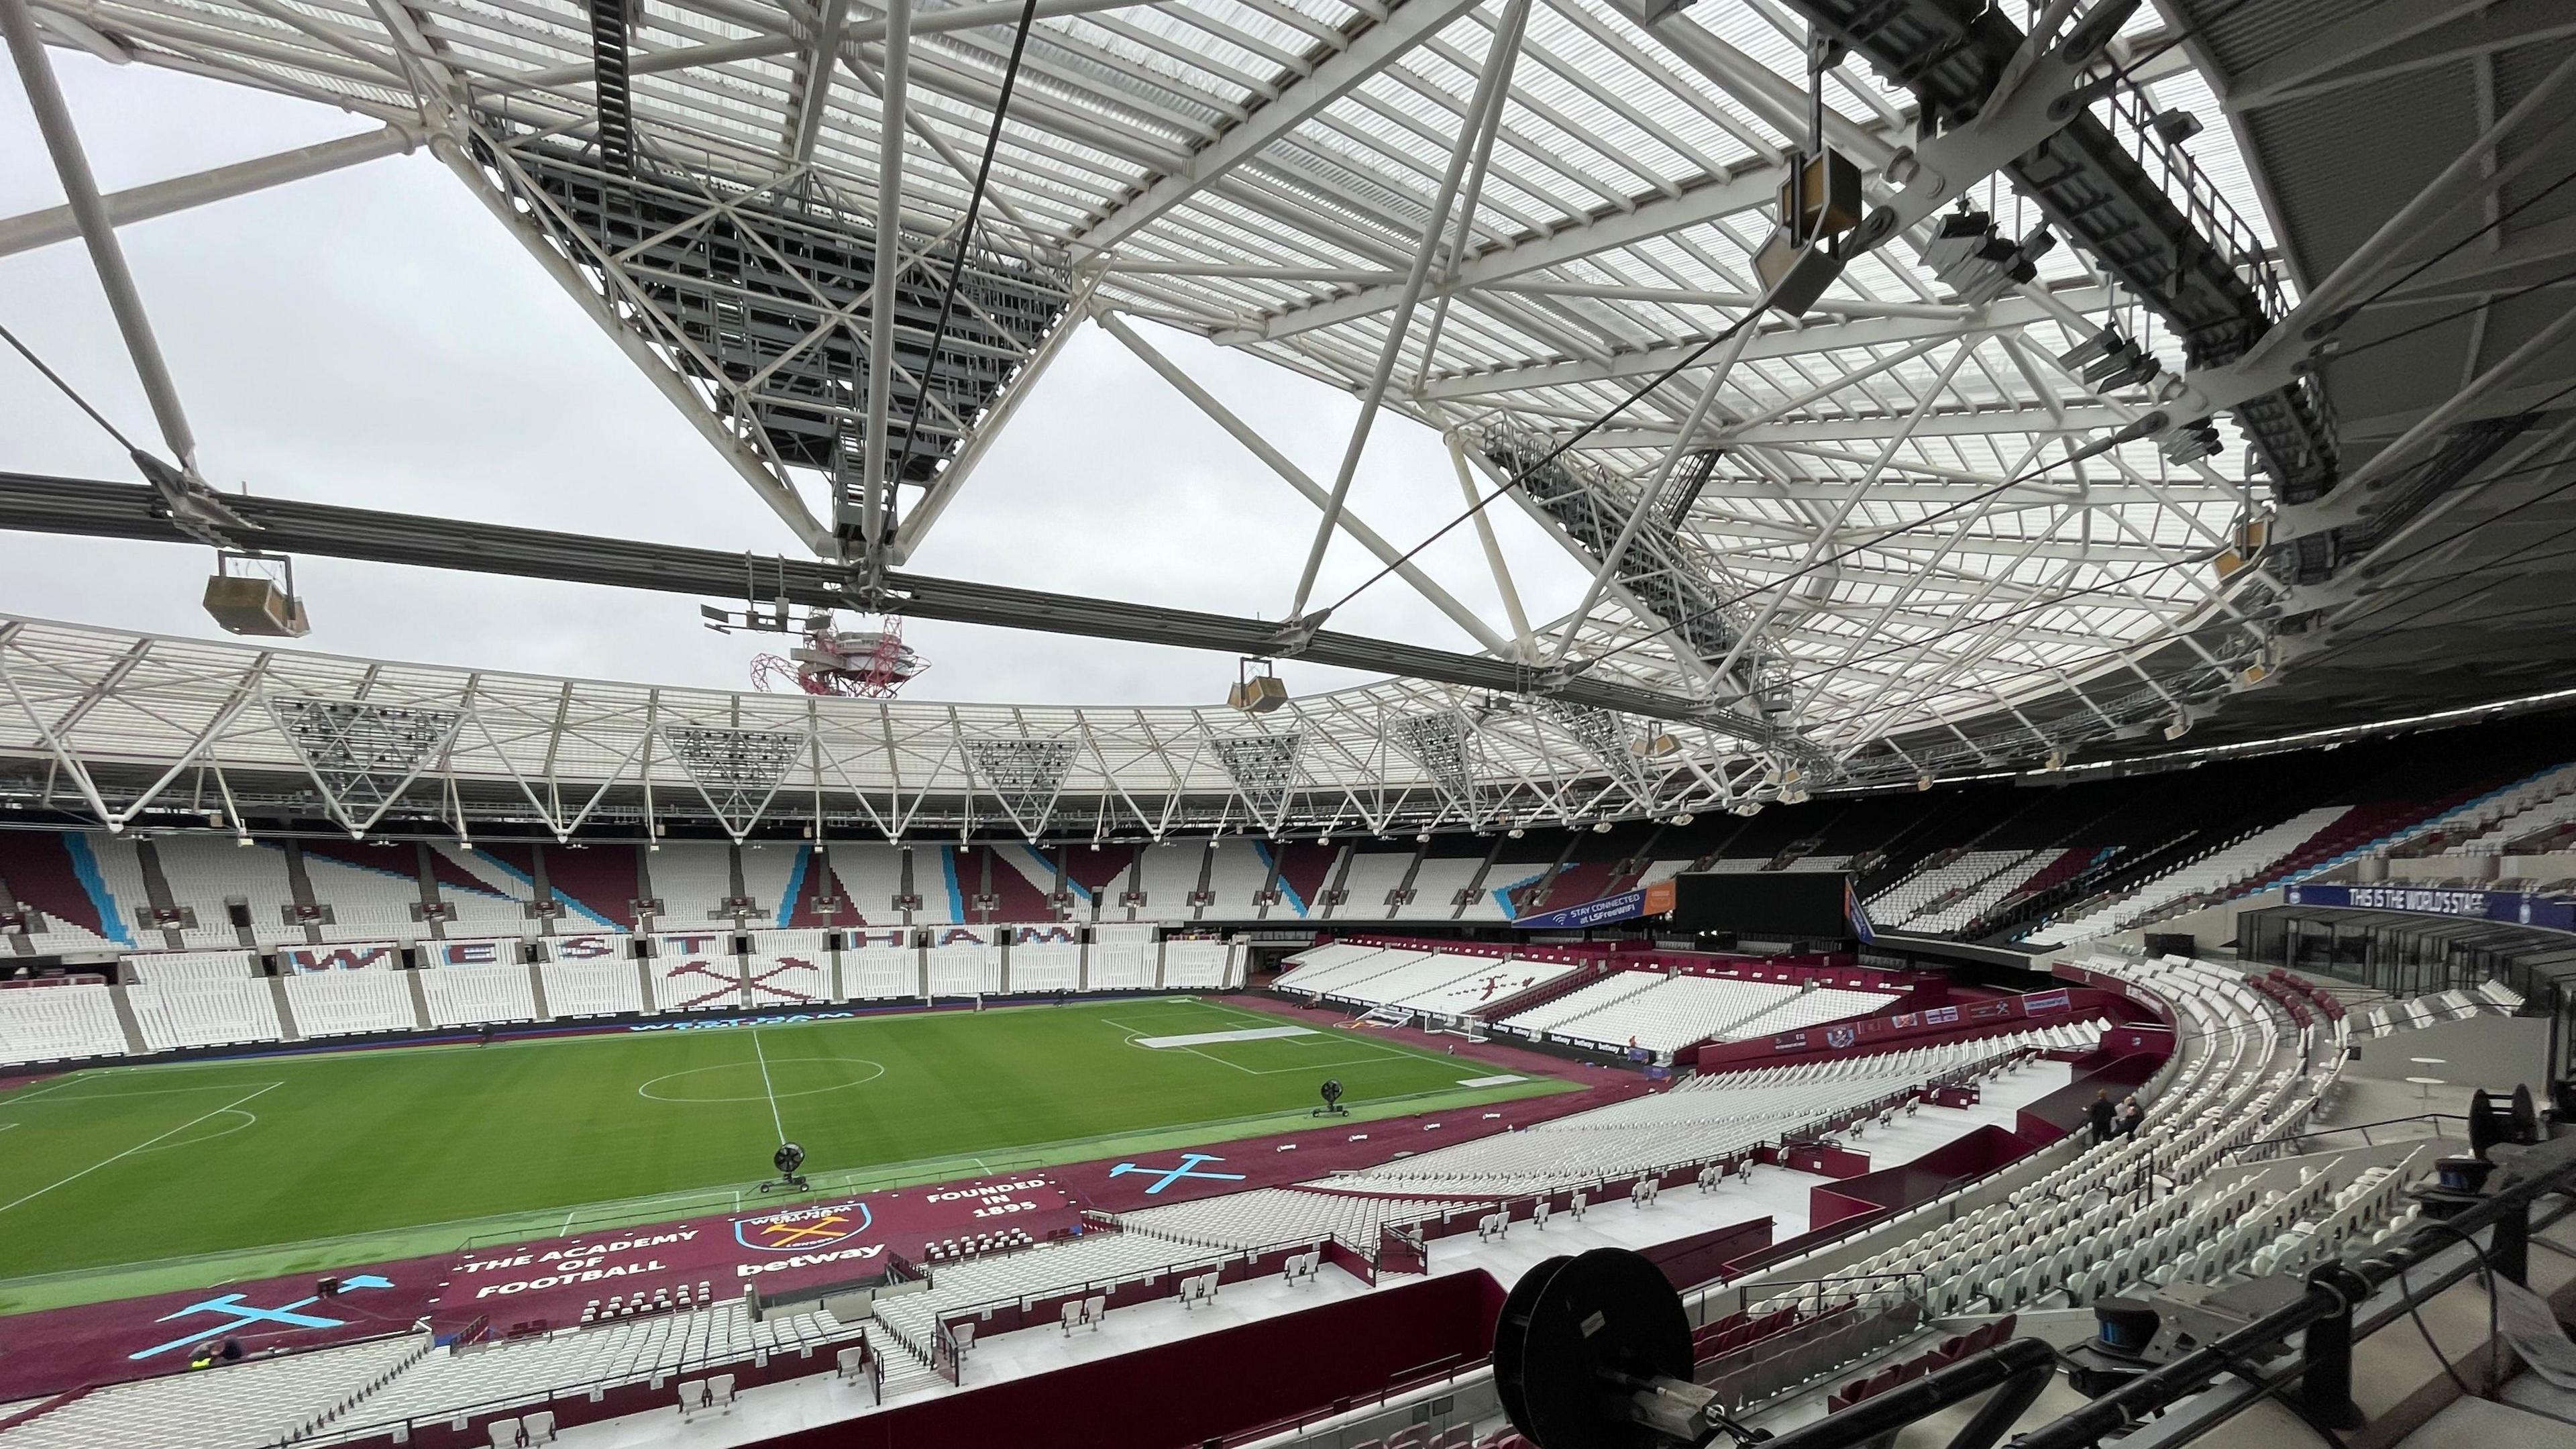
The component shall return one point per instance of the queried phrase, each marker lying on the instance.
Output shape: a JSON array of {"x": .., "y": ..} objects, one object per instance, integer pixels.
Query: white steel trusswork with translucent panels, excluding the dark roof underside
[{"x": 1879, "y": 522}]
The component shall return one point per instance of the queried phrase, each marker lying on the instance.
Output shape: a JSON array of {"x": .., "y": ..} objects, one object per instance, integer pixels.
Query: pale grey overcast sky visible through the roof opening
[{"x": 377, "y": 339}]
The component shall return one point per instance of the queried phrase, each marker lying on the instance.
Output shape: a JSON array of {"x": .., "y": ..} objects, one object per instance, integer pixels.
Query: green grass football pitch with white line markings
[{"x": 143, "y": 1180}]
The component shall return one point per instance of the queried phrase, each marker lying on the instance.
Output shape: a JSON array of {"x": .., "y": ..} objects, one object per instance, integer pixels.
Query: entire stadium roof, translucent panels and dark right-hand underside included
[{"x": 1892, "y": 535}]
